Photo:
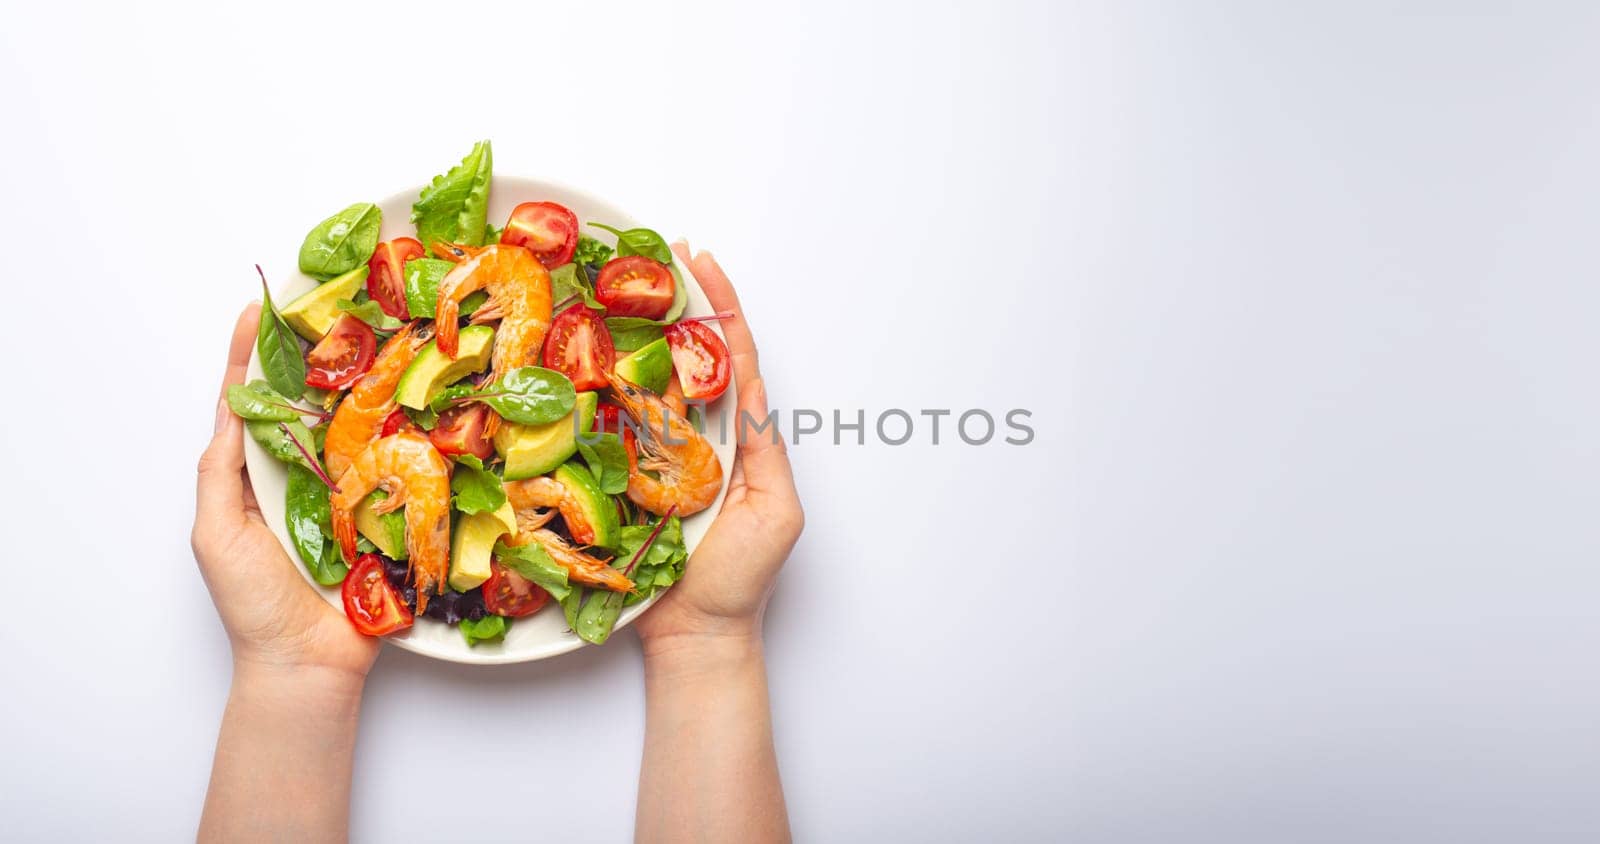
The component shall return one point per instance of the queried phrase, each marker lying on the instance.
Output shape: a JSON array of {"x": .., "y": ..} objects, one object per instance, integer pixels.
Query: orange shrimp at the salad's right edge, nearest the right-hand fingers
[{"x": 689, "y": 474}]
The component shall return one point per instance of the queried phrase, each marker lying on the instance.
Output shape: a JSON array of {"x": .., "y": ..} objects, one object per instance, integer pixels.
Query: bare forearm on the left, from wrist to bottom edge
[{"x": 284, "y": 757}]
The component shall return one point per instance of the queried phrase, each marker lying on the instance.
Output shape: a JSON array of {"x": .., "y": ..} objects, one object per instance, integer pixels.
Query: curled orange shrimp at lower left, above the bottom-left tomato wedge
[{"x": 417, "y": 477}]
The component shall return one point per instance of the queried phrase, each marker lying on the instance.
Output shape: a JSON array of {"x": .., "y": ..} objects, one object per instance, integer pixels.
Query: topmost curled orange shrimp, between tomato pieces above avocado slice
[{"x": 519, "y": 290}]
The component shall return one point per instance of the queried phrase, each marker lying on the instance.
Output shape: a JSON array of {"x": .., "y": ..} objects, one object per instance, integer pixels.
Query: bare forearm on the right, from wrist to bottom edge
[{"x": 710, "y": 770}]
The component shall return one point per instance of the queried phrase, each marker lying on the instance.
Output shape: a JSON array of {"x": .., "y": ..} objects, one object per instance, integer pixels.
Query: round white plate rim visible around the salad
[{"x": 545, "y": 634}]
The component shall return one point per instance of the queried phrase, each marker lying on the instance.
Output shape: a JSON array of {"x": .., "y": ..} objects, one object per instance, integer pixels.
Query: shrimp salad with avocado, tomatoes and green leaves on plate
[{"x": 484, "y": 421}]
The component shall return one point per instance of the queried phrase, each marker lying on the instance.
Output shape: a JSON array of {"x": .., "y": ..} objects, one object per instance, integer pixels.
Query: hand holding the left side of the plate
[{"x": 274, "y": 618}]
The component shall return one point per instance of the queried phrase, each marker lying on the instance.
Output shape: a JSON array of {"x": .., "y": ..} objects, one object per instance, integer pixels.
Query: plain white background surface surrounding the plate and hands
[{"x": 1303, "y": 305}]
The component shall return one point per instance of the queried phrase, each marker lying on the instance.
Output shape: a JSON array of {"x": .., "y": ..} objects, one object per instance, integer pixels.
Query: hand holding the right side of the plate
[{"x": 732, "y": 573}]
